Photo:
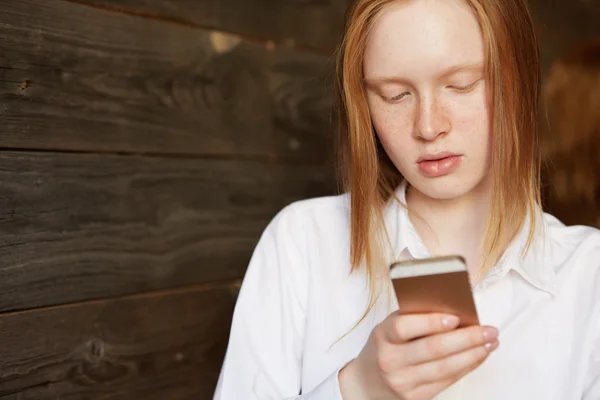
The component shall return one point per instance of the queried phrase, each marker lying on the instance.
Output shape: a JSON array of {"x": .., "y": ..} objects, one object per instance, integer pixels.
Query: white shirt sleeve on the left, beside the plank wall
[{"x": 264, "y": 355}]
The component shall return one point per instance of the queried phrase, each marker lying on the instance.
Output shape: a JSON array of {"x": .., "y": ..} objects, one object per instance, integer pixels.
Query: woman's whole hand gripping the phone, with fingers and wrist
[{"x": 415, "y": 357}]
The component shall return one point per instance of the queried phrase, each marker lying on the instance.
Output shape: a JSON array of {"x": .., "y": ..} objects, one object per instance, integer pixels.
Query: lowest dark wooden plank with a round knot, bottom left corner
[{"x": 153, "y": 347}]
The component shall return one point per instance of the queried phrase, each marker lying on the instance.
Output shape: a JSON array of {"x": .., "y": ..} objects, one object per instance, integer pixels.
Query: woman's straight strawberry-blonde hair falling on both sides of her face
[{"x": 512, "y": 70}]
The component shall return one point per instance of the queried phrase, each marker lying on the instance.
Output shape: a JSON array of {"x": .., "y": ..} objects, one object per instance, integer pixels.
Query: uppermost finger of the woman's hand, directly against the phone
[{"x": 403, "y": 328}]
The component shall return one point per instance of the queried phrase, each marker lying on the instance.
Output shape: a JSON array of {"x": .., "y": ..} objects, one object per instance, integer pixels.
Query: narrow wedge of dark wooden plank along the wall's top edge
[{"x": 315, "y": 24}]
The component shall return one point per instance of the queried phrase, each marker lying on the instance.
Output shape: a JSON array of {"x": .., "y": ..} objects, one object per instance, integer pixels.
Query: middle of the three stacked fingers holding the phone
[{"x": 445, "y": 344}]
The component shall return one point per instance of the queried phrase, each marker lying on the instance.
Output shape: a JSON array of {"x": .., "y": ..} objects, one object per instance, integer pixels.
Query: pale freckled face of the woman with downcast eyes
[{"x": 424, "y": 79}]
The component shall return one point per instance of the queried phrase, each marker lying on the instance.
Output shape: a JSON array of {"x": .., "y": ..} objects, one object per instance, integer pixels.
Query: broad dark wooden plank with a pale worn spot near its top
[{"x": 79, "y": 78}]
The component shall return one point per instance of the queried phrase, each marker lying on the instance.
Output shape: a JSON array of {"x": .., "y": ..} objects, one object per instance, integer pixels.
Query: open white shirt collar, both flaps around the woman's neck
[{"x": 534, "y": 266}]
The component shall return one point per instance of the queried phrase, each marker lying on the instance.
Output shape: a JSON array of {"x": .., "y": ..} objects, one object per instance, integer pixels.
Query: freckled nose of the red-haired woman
[{"x": 432, "y": 119}]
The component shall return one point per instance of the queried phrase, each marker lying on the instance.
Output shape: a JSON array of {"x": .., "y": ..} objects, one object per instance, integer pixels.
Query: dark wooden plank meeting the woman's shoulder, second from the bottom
[{"x": 76, "y": 227}]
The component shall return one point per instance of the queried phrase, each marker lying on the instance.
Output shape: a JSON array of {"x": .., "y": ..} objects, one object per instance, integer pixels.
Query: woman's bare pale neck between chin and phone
[{"x": 452, "y": 227}]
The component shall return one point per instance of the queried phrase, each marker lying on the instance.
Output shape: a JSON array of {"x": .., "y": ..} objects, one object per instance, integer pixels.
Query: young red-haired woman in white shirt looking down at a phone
[{"x": 438, "y": 103}]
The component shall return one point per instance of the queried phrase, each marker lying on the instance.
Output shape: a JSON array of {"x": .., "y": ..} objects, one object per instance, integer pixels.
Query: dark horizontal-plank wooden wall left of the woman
[{"x": 145, "y": 144}]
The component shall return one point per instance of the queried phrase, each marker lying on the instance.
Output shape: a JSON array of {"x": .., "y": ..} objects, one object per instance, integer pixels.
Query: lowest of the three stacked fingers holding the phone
[{"x": 456, "y": 365}]
